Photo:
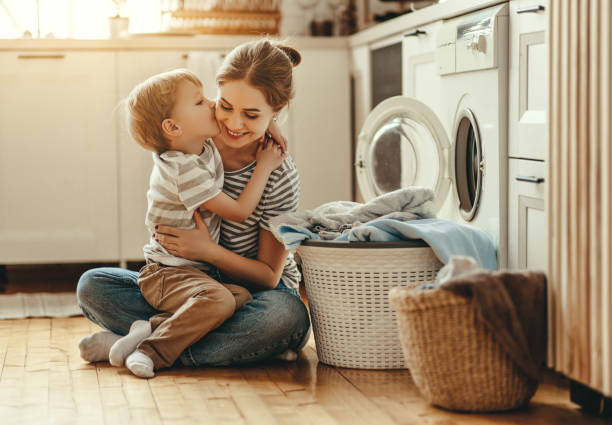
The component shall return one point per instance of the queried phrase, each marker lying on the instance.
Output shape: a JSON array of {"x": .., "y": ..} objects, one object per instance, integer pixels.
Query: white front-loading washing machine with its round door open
[{"x": 460, "y": 150}]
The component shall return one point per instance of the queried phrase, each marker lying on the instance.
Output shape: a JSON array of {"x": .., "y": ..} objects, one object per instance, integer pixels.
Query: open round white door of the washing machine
[{"x": 402, "y": 143}]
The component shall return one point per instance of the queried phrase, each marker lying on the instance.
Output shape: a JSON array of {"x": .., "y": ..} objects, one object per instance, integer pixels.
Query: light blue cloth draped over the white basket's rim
[{"x": 445, "y": 237}]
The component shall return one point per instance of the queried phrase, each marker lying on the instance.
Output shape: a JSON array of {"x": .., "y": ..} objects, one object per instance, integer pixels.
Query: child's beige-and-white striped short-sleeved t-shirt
[{"x": 179, "y": 184}]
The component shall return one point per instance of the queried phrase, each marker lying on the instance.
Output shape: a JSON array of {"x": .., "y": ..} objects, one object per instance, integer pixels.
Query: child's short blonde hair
[{"x": 150, "y": 103}]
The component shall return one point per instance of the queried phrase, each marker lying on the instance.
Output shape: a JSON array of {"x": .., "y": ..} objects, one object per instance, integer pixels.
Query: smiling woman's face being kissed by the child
[{"x": 242, "y": 112}]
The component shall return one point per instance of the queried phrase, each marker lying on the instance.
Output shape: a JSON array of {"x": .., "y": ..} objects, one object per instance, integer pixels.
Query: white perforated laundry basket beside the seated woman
[{"x": 348, "y": 284}]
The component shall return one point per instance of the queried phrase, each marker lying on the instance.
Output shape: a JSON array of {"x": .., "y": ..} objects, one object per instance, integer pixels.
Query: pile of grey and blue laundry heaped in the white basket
[{"x": 403, "y": 214}]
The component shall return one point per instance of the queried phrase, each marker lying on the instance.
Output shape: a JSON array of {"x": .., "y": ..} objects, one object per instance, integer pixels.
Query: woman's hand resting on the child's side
[{"x": 194, "y": 244}]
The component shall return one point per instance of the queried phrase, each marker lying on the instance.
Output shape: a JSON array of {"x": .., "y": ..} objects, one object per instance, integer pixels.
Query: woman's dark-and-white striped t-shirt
[{"x": 281, "y": 195}]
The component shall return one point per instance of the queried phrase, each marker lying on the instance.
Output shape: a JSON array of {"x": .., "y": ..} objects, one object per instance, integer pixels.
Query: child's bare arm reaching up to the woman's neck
[{"x": 269, "y": 157}]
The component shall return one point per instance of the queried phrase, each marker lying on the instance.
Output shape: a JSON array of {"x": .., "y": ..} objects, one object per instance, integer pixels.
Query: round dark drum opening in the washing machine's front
[{"x": 469, "y": 164}]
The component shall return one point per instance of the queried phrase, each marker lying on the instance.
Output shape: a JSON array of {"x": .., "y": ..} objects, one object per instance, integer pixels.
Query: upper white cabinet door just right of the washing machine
[{"x": 528, "y": 65}]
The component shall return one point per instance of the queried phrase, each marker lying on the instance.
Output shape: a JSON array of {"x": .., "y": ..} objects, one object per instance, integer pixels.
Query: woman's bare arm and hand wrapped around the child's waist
[{"x": 196, "y": 244}]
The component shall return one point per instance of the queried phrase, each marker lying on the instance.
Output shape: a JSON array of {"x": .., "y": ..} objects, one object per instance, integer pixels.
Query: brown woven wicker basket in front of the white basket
[{"x": 454, "y": 360}]
